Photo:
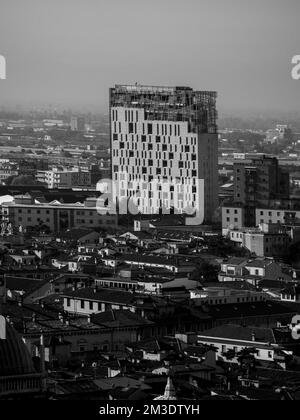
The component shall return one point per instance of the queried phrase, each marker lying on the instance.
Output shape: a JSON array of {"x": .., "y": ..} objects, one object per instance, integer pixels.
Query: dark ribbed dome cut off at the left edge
[{"x": 14, "y": 356}]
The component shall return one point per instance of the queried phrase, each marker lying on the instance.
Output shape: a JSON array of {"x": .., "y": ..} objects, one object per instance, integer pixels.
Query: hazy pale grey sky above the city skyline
[{"x": 69, "y": 52}]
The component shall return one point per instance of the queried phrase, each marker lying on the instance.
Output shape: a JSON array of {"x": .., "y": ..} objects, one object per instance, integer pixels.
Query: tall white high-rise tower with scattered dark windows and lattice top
[{"x": 163, "y": 141}]
